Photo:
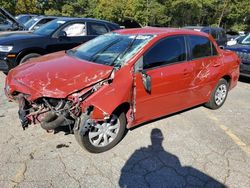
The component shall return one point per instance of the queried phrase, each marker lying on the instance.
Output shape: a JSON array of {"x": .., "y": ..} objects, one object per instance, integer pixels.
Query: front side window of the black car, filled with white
[{"x": 75, "y": 29}]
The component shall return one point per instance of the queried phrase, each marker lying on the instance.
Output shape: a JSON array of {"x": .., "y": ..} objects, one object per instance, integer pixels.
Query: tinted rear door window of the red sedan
[{"x": 199, "y": 47}]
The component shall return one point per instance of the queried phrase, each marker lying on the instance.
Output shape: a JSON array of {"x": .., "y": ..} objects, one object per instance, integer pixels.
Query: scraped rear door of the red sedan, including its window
[{"x": 207, "y": 64}]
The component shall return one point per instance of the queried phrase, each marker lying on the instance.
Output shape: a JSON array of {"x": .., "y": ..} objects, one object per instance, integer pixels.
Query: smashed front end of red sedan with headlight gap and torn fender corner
[{"x": 52, "y": 113}]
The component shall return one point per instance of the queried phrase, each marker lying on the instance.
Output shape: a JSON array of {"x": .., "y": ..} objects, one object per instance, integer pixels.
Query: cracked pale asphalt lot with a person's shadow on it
[{"x": 195, "y": 148}]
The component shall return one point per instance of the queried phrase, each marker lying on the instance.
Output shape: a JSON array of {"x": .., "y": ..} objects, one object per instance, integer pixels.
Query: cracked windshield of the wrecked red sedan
[{"x": 111, "y": 49}]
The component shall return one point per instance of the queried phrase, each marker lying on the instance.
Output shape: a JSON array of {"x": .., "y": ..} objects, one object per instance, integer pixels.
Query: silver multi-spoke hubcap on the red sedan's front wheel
[{"x": 103, "y": 133}]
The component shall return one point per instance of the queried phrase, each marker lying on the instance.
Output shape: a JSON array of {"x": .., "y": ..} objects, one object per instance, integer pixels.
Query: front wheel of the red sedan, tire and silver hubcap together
[{"x": 86, "y": 138}]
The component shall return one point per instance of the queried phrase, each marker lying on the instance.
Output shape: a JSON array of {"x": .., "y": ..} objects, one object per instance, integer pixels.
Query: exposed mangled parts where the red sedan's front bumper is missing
[{"x": 50, "y": 113}]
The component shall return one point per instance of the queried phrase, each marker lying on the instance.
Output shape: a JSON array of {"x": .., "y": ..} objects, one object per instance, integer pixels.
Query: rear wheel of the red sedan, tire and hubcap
[{"x": 219, "y": 95}]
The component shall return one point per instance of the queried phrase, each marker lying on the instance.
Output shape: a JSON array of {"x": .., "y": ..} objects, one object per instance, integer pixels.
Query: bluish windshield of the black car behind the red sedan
[{"x": 49, "y": 28}]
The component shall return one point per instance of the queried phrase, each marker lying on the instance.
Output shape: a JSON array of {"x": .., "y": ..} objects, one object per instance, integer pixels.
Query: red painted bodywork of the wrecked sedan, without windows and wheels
[{"x": 174, "y": 87}]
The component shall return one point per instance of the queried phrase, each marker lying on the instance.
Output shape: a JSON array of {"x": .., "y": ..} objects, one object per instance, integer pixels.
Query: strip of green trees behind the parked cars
[{"x": 230, "y": 14}]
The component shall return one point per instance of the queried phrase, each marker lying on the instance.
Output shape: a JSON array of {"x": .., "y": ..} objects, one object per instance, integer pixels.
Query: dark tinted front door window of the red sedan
[{"x": 168, "y": 50}]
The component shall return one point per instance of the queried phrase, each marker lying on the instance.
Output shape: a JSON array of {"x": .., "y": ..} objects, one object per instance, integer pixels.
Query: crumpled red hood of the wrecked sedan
[{"x": 56, "y": 75}]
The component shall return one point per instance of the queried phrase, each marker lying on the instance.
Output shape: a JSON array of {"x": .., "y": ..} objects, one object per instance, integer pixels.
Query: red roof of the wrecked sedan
[{"x": 160, "y": 31}]
